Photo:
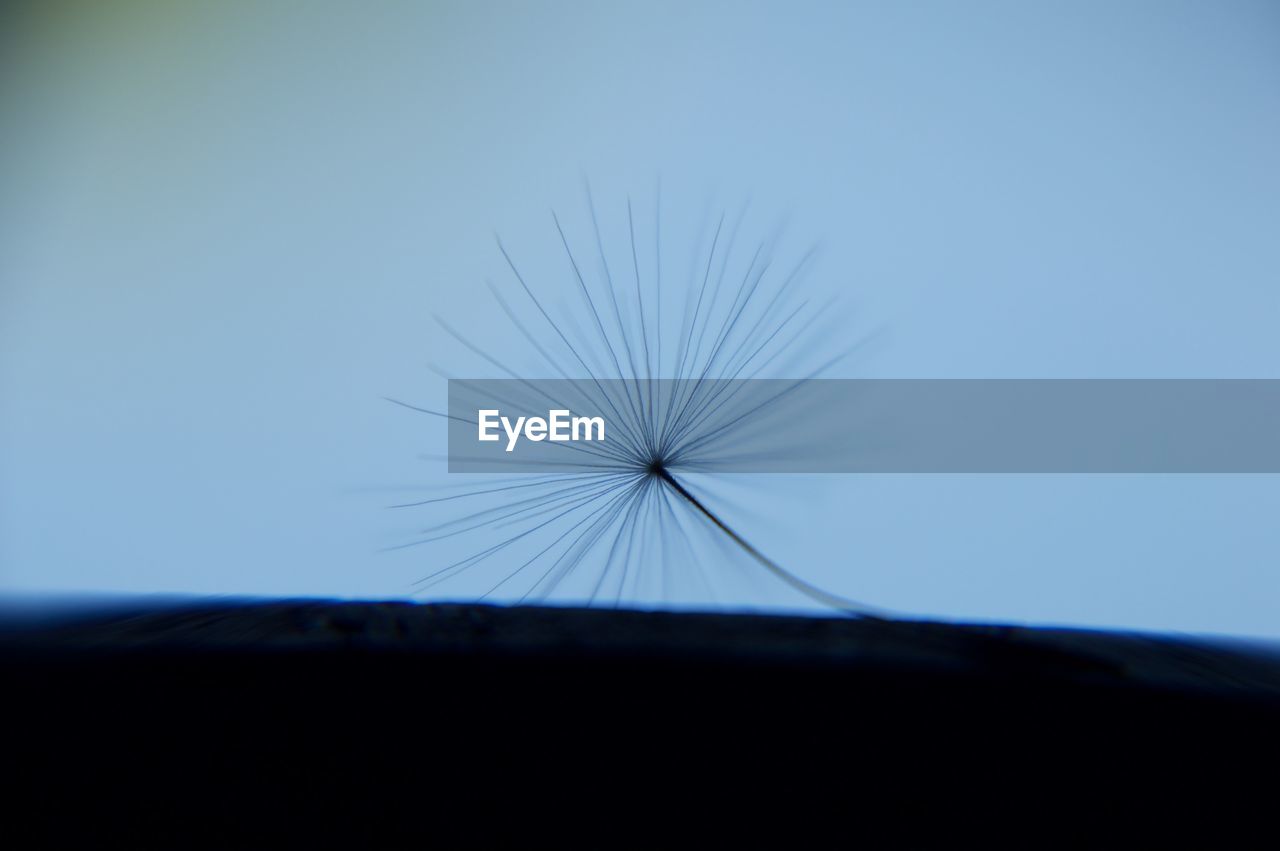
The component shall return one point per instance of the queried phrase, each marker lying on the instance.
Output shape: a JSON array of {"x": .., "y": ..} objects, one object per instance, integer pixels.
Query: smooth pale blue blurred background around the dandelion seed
[{"x": 225, "y": 230}]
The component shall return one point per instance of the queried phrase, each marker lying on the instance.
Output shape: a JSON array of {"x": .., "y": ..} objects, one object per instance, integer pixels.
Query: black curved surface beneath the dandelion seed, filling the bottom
[{"x": 437, "y": 726}]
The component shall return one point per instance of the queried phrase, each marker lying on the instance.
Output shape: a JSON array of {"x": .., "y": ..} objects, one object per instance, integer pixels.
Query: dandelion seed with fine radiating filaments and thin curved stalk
[{"x": 614, "y": 527}]
